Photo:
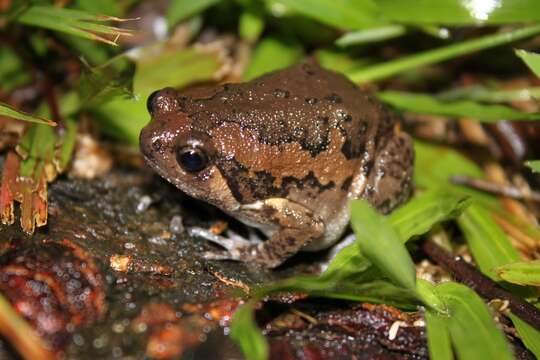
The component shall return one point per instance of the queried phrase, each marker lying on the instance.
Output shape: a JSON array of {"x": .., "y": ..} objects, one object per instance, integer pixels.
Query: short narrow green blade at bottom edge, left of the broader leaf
[{"x": 438, "y": 337}]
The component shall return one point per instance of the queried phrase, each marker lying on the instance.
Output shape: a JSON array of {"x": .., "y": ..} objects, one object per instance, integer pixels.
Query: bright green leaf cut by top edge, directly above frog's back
[{"x": 343, "y": 14}]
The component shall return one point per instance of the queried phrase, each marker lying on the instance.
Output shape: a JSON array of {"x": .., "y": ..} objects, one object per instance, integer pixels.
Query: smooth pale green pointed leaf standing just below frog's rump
[{"x": 380, "y": 243}]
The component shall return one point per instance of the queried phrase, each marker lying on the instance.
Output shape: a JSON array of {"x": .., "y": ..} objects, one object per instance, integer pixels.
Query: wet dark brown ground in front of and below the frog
[{"x": 114, "y": 275}]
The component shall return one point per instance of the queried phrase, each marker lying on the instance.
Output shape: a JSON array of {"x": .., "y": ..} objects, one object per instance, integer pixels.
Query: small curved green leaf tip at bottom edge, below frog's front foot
[{"x": 245, "y": 332}]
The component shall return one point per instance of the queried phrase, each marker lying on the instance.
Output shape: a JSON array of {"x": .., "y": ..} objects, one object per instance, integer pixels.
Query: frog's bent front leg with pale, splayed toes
[{"x": 296, "y": 224}]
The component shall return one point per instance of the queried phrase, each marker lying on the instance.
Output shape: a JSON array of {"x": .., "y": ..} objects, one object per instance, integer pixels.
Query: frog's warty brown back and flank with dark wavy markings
[{"x": 304, "y": 133}]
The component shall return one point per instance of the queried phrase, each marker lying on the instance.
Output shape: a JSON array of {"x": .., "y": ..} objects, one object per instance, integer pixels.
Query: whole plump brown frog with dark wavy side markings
[{"x": 284, "y": 153}]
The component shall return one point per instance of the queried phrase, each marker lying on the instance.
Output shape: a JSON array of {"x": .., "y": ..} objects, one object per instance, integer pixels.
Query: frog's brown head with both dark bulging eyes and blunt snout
[{"x": 181, "y": 154}]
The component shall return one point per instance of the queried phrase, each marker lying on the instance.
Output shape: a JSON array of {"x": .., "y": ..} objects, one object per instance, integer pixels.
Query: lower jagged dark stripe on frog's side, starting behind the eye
[{"x": 248, "y": 186}]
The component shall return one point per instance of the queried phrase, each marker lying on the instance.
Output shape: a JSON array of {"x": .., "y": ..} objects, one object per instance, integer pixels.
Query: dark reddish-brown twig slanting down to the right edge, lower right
[{"x": 487, "y": 288}]
